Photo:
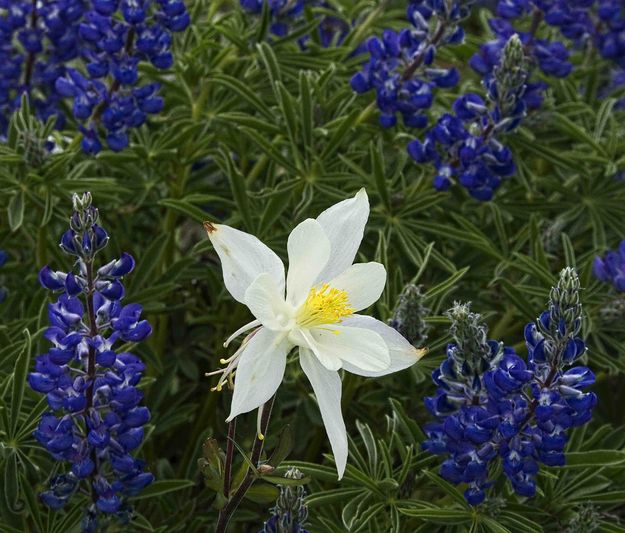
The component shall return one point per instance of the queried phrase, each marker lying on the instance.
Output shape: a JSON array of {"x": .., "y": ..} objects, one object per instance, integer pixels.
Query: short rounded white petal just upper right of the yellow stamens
[{"x": 363, "y": 282}]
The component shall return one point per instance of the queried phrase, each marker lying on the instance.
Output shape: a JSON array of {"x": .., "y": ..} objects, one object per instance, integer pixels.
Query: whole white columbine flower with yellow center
[{"x": 316, "y": 313}]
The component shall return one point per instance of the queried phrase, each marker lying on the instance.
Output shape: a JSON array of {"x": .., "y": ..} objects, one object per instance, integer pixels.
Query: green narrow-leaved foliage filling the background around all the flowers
[{"x": 261, "y": 136}]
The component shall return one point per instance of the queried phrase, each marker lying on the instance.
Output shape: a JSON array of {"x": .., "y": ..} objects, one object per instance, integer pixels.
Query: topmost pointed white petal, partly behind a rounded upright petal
[{"x": 344, "y": 224}]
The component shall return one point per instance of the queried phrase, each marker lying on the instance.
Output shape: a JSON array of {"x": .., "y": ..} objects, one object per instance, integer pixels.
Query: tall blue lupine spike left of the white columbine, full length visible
[{"x": 95, "y": 420}]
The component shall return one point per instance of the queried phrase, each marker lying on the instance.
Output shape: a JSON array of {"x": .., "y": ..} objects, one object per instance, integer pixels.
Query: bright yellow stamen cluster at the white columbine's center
[{"x": 324, "y": 305}]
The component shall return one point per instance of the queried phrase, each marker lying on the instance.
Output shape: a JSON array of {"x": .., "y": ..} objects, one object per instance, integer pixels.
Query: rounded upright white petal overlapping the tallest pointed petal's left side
[{"x": 309, "y": 250}]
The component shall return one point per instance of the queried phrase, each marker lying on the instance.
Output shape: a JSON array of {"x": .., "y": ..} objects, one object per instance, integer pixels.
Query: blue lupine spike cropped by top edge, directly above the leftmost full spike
[{"x": 116, "y": 36}]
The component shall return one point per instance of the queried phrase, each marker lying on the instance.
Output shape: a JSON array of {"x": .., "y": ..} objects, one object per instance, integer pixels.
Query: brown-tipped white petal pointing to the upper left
[{"x": 243, "y": 257}]
